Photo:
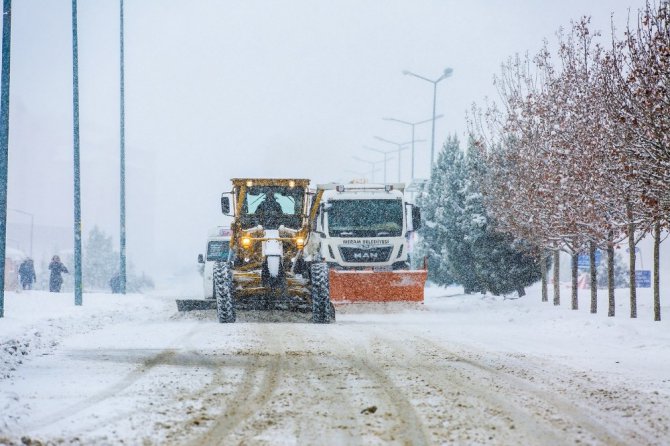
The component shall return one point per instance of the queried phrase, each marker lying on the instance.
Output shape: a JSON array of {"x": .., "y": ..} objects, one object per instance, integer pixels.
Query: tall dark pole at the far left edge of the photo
[{"x": 4, "y": 141}]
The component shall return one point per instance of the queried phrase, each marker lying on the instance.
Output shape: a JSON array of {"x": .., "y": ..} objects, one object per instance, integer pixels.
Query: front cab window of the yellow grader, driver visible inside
[{"x": 272, "y": 206}]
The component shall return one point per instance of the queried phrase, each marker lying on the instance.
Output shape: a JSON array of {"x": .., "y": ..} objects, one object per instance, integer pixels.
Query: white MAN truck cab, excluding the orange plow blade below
[{"x": 363, "y": 226}]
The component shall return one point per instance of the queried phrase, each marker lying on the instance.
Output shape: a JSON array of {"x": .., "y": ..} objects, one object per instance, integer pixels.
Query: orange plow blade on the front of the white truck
[{"x": 377, "y": 286}]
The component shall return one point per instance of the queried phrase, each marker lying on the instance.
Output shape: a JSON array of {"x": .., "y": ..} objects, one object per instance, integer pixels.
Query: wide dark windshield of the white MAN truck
[{"x": 365, "y": 218}]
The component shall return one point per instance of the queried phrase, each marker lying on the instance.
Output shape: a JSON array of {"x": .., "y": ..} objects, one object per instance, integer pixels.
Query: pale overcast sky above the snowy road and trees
[{"x": 221, "y": 89}]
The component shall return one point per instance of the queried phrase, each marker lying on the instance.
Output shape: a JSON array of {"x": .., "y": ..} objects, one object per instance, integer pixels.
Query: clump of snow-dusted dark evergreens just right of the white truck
[{"x": 459, "y": 235}]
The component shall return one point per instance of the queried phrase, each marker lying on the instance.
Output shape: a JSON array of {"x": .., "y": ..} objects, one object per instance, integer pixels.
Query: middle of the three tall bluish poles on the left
[{"x": 77, "y": 183}]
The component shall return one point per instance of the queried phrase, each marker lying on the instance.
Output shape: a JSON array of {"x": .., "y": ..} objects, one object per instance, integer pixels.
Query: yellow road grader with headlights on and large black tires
[{"x": 265, "y": 269}]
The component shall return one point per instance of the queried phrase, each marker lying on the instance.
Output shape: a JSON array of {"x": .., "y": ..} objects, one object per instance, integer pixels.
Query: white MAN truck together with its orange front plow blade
[{"x": 363, "y": 232}]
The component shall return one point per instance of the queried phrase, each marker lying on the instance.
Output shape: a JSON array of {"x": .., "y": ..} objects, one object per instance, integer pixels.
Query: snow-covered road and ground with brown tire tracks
[{"x": 457, "y": 370}]
